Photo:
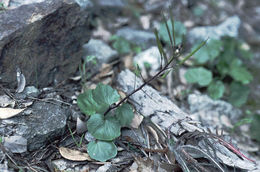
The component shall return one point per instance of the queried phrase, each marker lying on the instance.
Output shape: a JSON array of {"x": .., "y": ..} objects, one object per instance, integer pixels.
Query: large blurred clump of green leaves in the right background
[{"x": 219, "y": 60}]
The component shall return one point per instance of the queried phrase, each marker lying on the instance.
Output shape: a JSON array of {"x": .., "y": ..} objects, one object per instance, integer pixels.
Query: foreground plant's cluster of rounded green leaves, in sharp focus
[{"x": 105, "y": 128}]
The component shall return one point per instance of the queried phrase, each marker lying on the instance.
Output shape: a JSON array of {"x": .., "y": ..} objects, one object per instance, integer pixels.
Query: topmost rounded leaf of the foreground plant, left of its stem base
[{"x": 104, "y": 96}]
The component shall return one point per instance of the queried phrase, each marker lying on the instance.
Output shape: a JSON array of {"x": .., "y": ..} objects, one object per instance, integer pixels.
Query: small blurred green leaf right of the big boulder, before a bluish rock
[{"x": 121, "y": 44}]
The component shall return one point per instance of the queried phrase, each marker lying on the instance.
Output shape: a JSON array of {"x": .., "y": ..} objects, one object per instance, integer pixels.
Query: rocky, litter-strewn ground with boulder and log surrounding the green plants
[{"x": 42, "y": 71}]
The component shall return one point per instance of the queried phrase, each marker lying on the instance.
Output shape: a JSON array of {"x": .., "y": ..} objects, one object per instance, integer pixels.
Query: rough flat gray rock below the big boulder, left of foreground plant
[{"x": 46, "y": 122}]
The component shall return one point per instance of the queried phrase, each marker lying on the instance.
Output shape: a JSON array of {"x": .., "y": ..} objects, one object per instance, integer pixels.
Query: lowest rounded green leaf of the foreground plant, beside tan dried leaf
[{"x": 101, "y": 150}]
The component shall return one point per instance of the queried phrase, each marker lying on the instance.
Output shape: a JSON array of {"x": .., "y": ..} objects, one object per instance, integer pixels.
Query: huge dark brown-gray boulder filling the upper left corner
[{"x": 44, "y": 40}]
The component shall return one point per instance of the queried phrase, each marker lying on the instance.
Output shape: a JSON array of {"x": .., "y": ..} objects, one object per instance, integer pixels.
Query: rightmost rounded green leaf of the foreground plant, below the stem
[{"x": 124, "y": 114}]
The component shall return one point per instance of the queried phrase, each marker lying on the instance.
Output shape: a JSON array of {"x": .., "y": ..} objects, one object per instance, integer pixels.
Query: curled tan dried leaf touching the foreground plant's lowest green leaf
[{"x": 74, "y": 155}]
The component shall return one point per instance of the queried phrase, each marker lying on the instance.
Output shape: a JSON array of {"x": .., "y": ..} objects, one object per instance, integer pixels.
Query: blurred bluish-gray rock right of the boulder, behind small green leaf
[{"x": 141, "y": 38}]
